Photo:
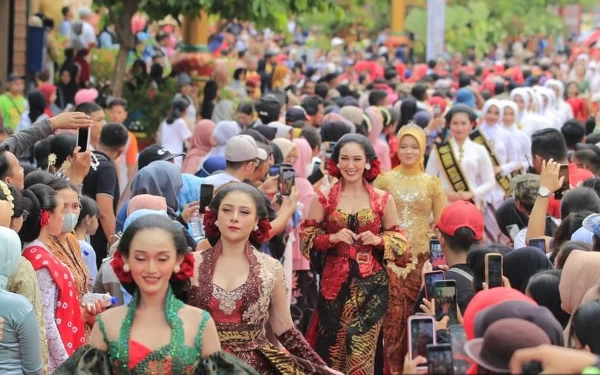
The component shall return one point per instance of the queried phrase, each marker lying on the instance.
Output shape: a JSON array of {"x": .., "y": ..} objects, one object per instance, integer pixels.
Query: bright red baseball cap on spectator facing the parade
[{"x": 461, "y": 214}]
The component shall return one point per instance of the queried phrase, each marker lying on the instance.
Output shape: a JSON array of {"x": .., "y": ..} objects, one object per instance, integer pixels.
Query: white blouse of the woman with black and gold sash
[{"x": 475, "y": 164}]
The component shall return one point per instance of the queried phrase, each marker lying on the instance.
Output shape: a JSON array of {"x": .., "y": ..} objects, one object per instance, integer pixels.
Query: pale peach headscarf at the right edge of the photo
[{"x": 579, "y": 274}]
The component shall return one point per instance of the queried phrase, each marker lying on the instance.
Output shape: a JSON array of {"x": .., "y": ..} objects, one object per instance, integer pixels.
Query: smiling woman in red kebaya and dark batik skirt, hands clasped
[{"x": 350, "y": 235}]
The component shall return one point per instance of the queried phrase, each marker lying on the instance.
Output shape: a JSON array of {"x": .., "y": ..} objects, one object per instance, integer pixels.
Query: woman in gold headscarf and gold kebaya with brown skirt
[{"x": 417, "y": 196}]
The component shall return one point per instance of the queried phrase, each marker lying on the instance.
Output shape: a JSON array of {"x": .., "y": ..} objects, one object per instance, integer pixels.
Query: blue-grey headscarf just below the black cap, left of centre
[{"x": 159, "y": 178}]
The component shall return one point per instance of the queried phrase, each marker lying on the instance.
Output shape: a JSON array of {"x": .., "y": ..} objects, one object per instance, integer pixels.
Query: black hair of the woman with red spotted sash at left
[{"x": 36, "y": 198}]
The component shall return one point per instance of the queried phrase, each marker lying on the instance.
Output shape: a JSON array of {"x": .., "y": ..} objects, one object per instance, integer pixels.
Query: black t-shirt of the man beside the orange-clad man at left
[{"x": 102, "y": 181}]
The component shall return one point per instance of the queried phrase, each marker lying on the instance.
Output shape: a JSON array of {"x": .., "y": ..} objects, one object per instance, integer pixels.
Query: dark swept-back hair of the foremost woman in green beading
[{"x": 150, "y": 222}]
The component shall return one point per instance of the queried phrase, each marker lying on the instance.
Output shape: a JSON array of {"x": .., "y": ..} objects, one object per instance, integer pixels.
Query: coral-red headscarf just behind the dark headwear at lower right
[{"x": 488, "y": 298}]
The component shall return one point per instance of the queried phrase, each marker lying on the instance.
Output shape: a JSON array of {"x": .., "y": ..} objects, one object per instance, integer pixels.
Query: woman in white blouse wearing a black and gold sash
[{"x": 463, "y": 166}]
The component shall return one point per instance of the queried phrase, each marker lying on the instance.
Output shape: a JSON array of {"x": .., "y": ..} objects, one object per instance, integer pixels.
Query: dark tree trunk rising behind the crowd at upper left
[{"x": 121, "y": 18}]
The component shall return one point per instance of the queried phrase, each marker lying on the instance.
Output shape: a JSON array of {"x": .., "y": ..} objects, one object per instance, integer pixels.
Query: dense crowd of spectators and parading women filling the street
[{"x": 332, "y": 184}]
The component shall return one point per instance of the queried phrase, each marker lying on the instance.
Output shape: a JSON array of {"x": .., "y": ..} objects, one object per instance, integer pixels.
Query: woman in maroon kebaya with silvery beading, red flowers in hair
[{"x": 244, "y": 289}]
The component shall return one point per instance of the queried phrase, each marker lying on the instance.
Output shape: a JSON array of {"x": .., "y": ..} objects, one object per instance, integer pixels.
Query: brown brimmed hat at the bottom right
[{"x": 501, "y": 340}]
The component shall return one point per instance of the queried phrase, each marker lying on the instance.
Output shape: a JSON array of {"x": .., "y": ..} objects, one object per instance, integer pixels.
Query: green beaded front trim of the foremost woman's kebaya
[{"x": 164, "y": 360}]
